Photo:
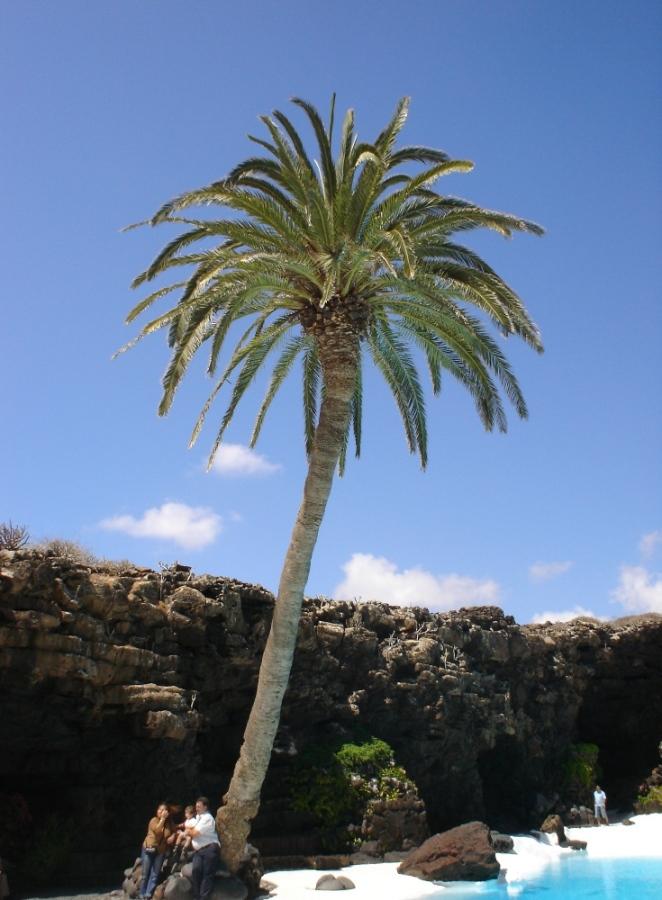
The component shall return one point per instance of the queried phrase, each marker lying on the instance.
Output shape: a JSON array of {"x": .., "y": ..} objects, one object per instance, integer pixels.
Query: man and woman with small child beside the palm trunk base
[{"x": 166, "y": 841}]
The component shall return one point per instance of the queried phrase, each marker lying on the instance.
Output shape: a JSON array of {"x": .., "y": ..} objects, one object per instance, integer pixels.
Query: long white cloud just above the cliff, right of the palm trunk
[{"x": 377, "y": 578}]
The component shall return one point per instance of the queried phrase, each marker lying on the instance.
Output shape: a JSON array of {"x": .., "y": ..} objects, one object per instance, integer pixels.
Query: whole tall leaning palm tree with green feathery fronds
[{"x": 330, "y": 262}]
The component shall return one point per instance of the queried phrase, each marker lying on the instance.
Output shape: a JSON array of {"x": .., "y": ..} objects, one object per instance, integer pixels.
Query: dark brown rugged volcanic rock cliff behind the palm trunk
[{"x": 122, "y": 687}]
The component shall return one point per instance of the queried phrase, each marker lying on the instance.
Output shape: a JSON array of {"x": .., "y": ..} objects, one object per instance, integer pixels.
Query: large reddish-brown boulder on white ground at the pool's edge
[{"x": 465, "y": 853}]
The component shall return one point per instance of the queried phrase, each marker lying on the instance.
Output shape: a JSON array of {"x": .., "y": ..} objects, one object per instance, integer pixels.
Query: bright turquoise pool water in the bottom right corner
[{"x": 578, "y": 879}]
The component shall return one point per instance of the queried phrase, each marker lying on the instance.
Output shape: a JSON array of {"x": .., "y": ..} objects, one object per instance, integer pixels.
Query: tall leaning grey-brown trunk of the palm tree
[{"x": 339, "y": 354}]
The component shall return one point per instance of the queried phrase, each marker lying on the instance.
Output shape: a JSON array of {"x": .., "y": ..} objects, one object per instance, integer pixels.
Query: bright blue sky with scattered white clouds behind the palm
[{"x": 107, "y": 110}]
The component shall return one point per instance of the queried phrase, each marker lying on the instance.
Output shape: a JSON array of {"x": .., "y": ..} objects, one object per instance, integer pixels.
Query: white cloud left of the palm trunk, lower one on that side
[{"x": 192, "y": 527}]
